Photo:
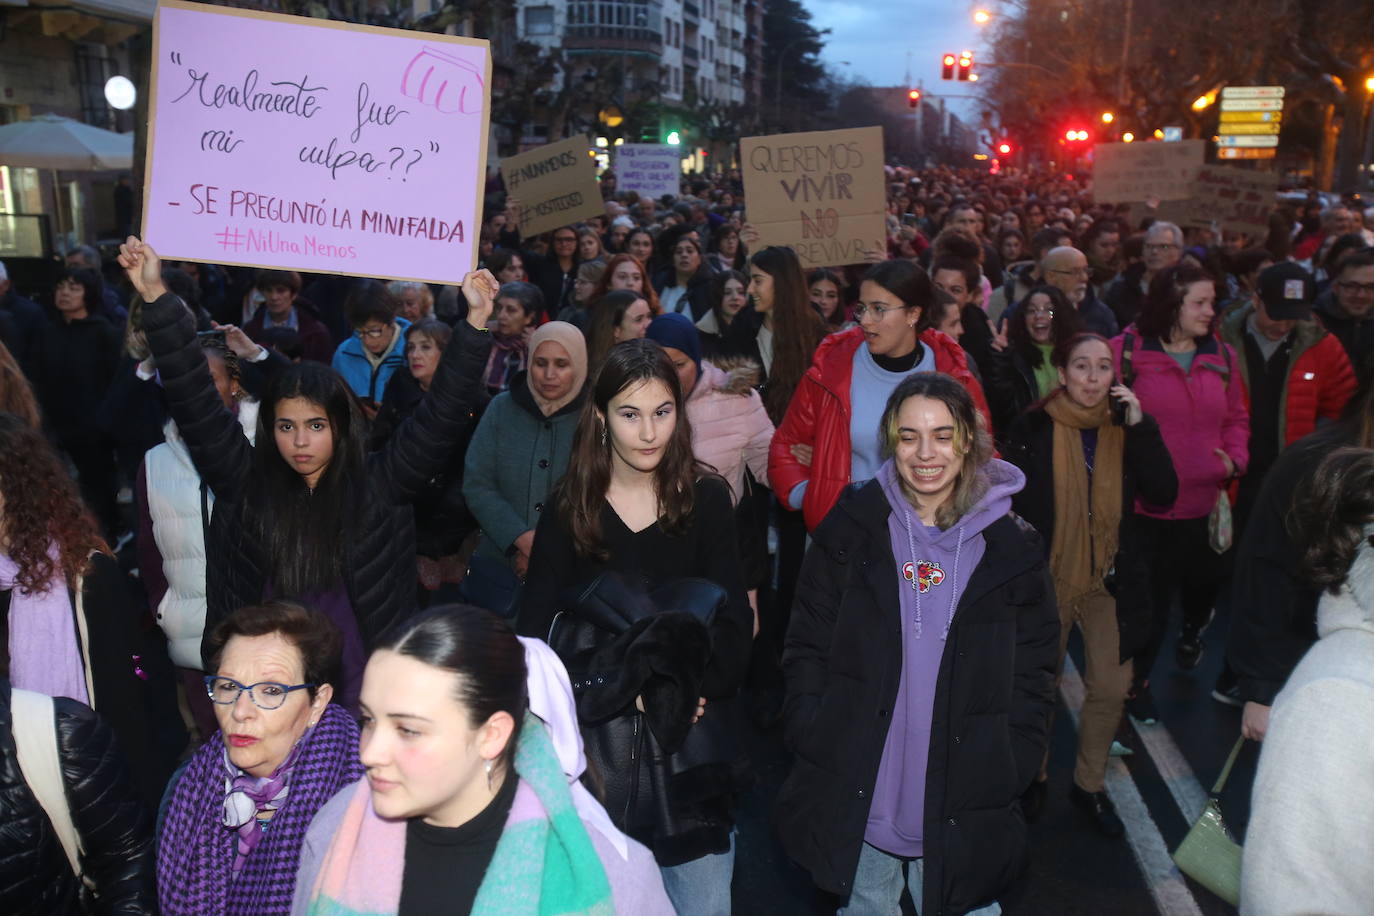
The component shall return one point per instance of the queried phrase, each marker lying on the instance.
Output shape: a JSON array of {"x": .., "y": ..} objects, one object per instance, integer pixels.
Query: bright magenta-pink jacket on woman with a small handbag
[{"x": 1199, "y": 413}]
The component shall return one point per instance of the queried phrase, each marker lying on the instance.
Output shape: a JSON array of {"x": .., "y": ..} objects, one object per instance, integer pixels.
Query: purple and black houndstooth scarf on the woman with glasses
[{"x": 197, "y": 854}]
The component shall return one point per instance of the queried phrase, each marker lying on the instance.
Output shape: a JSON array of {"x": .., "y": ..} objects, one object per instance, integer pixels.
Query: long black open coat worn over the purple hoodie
[{"x": 990, "y": 729}]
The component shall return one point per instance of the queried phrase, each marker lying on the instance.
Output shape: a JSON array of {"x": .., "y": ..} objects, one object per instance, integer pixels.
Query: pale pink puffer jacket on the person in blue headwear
[{"x": 730, "y": 428}]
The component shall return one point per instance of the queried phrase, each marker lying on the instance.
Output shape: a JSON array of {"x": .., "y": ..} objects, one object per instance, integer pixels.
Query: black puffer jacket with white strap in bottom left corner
[{"x": 115, "y": 826}]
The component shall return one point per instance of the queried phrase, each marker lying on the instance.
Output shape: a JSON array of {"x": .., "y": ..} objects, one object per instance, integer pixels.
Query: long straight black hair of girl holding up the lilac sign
[{"x": 306, "y": 532}]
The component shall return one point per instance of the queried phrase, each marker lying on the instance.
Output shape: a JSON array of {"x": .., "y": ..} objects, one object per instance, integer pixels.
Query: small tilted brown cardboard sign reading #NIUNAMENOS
[{"x": 556, "y": 186}]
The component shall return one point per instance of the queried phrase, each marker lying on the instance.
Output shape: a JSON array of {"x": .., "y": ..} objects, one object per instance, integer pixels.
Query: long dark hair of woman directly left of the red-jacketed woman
[{"x": 798, "y": 326}]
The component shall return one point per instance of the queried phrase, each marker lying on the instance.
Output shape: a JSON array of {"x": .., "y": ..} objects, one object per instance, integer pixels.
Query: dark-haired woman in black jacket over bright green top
[{"x": 1020, "y": 370}]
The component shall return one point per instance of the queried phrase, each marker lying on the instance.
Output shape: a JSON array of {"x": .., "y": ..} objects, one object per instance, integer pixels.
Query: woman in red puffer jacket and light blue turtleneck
[{"x": 829, "y": 437}]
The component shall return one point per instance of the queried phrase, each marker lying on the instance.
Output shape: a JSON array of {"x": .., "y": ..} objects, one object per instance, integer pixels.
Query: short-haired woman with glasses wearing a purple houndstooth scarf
[{"x": 237, "y": 816}]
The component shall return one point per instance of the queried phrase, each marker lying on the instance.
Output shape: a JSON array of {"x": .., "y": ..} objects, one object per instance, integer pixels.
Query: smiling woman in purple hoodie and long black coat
[{"x": 920, "y": 669}]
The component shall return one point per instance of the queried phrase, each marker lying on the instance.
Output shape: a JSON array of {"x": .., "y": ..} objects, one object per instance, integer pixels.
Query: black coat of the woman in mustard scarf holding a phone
[{"x": 1148, "y": 472}]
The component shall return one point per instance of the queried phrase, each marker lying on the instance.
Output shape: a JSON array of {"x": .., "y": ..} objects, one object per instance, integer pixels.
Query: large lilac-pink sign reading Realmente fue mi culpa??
[{"x": 314, "y": 145}]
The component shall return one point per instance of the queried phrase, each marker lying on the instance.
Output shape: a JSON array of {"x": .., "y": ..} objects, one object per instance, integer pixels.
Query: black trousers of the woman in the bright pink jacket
[{"x": 1184, "y": 568}]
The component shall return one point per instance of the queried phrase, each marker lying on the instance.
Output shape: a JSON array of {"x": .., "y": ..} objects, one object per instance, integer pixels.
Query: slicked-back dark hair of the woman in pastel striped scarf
[{"x": 482, "y": 650}]
